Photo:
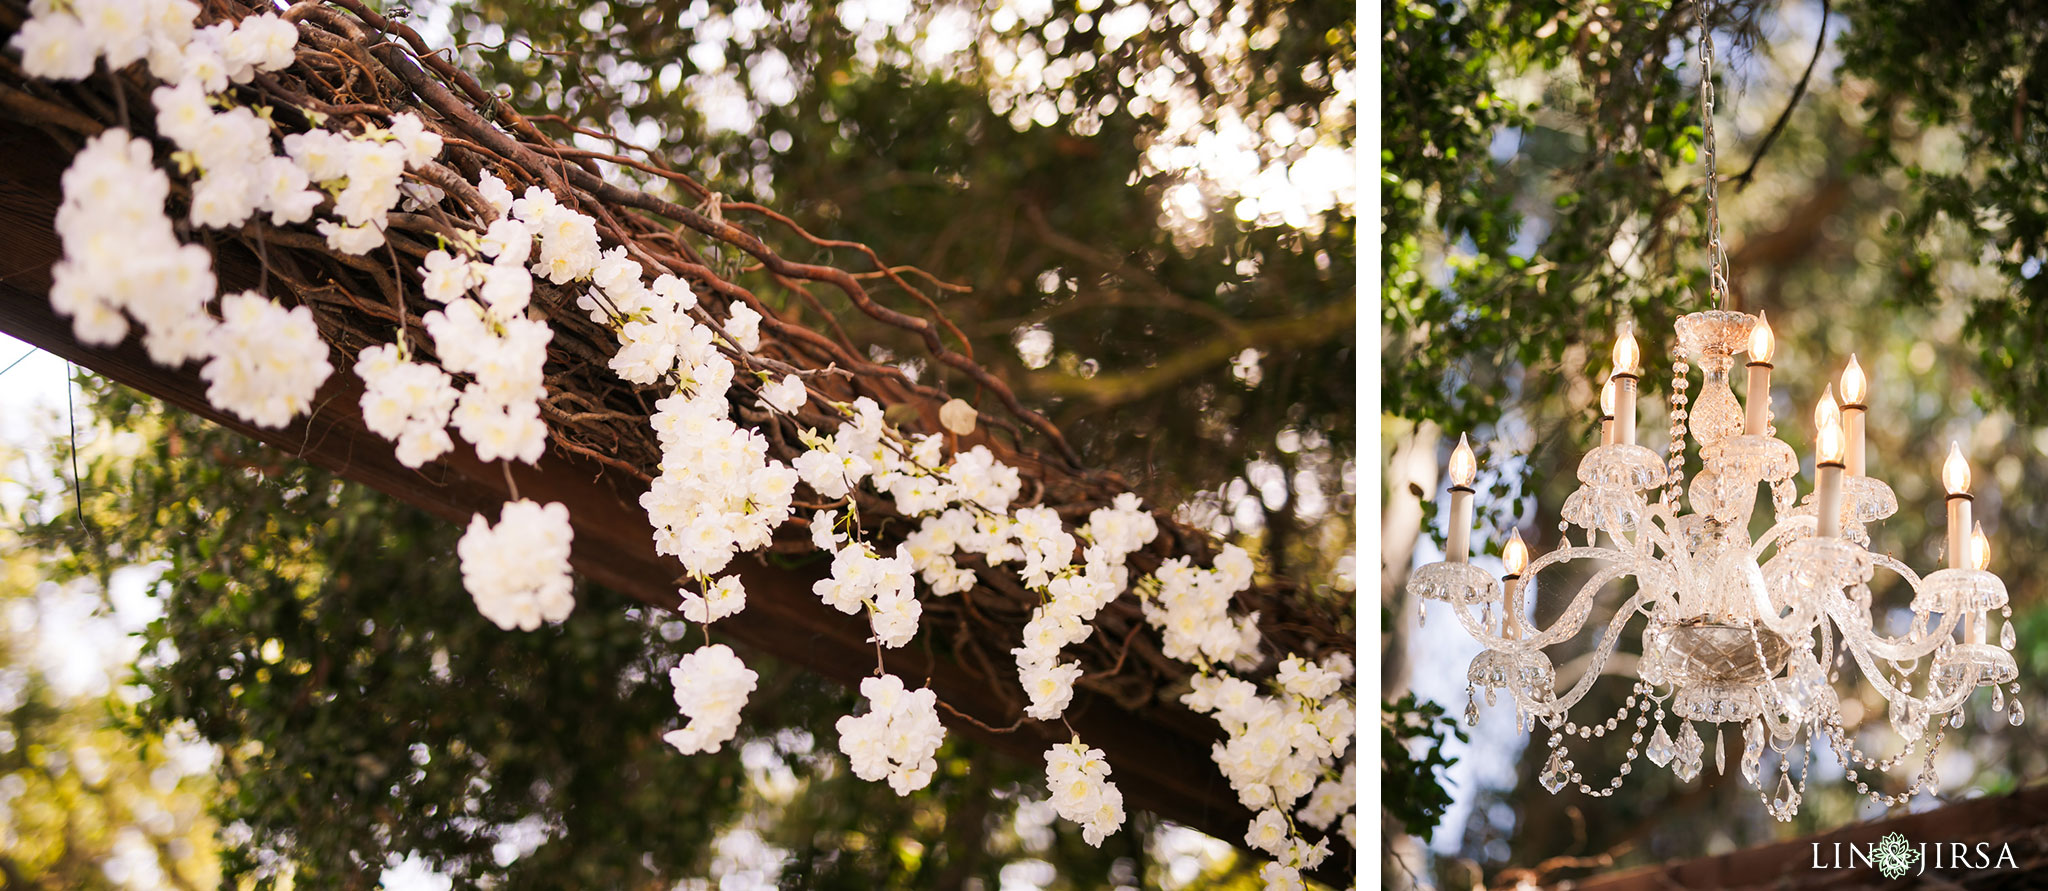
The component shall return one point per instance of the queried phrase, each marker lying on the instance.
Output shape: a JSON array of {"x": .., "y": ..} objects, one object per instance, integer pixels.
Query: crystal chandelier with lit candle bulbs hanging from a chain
[{"x": 1740, "y": 630}]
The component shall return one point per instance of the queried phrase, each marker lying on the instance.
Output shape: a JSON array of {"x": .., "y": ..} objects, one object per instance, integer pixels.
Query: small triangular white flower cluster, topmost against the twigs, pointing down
[{"x": 366, "y": 173}]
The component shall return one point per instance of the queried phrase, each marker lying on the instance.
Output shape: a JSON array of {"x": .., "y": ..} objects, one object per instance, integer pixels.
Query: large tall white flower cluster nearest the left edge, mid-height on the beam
[{"x": 122, "y": 255}]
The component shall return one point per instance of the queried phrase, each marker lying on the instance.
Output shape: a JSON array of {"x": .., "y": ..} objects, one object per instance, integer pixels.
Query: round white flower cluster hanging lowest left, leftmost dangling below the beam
[{"x": 519, "y": 570}]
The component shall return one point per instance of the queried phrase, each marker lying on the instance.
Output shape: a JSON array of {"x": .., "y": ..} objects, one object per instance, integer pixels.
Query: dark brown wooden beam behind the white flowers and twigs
[{"x": 1160, "y": 755}]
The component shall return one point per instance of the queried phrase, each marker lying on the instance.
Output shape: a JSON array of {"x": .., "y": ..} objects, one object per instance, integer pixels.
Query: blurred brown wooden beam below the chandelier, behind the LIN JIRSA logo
[{"x": 2018, "y": 820}]
